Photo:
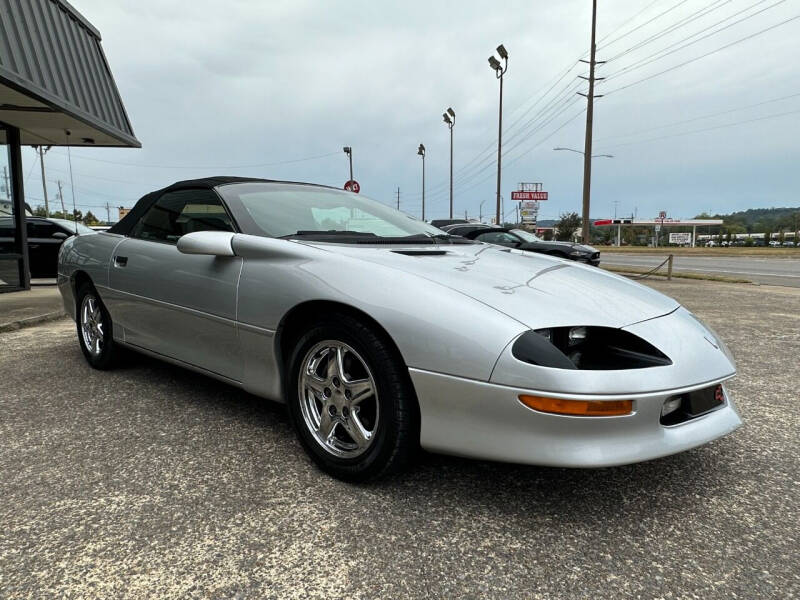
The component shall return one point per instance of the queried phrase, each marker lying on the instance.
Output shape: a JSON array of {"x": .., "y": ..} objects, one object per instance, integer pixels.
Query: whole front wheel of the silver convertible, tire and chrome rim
[{"x": 351, "y": 400}]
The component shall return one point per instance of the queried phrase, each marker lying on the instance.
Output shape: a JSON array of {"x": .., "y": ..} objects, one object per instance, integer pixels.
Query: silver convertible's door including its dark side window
[{"x": 179, "y": 305}]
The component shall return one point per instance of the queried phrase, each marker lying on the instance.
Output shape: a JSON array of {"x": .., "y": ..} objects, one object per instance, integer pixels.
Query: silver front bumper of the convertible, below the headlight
[{"x": 484, "y": 420}]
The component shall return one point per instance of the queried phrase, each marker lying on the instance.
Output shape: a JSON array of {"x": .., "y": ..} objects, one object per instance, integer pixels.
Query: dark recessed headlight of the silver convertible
[{"x": 587, "y": 348}]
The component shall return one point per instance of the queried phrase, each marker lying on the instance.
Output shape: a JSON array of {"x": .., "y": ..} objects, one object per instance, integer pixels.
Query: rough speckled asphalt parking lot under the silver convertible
[{"x": 151, "y": 481}]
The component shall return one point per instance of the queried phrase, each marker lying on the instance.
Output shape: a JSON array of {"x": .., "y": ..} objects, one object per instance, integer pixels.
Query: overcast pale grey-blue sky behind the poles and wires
[{"x": 214, "y": 88}]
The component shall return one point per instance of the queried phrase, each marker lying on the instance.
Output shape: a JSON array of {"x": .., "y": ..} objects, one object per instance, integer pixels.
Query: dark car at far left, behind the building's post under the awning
[{"x": 45, "y": 237}]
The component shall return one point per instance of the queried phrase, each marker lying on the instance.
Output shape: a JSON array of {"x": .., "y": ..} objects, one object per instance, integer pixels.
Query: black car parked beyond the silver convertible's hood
[{"x": 524, "y": 240}]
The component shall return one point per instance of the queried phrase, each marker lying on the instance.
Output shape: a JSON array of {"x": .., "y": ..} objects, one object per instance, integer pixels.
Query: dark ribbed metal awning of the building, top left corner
[{"x": 54, "y": 78}]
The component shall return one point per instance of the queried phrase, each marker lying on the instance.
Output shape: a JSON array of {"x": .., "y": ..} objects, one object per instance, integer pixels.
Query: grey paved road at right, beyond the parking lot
[{"x": 772, "y": 271}]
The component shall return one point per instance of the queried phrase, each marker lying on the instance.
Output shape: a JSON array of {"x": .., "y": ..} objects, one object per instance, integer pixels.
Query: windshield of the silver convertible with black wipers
[{"x": 292, "y": 210}]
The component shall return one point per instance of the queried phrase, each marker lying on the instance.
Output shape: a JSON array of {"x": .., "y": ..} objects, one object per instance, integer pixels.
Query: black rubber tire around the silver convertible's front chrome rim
[{"x": 395, "y": 438}]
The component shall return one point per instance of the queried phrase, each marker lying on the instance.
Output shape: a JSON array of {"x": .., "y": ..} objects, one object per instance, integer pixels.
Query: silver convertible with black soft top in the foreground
[{"x": 383, "y": 334}]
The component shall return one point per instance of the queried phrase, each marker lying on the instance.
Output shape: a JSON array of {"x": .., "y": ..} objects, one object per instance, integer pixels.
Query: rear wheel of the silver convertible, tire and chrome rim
[{"x": 95, "y": 333}]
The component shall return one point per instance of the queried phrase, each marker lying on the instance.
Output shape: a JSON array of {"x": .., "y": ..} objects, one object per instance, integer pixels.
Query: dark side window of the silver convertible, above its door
[{"x": 177, "y": 213}]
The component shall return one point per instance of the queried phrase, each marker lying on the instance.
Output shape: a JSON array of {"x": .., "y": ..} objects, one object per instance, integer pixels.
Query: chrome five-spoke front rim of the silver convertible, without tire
[{"x": 338, "y": 399}]
